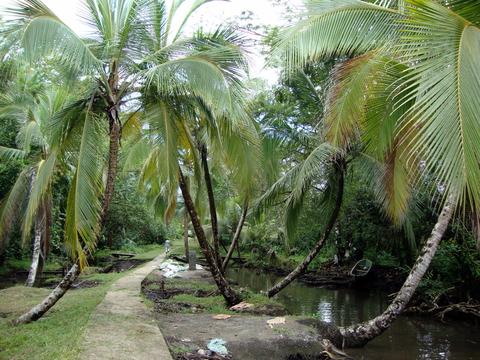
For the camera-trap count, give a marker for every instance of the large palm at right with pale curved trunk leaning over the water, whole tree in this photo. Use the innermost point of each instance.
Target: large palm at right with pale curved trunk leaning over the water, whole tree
(411, 95)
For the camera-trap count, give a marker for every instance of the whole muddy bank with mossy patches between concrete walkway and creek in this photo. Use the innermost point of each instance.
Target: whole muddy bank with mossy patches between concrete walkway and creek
(187, 309)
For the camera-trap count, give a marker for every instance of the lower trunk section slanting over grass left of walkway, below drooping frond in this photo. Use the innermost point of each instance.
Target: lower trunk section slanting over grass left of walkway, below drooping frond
(37, 311)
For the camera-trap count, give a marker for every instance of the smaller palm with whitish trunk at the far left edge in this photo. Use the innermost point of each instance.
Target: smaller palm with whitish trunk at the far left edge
(31, 108)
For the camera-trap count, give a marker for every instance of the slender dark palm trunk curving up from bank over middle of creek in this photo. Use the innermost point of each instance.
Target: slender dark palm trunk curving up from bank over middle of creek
(300, 269)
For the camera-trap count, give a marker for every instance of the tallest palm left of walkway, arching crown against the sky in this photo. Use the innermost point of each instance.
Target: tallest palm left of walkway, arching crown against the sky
(130, 45)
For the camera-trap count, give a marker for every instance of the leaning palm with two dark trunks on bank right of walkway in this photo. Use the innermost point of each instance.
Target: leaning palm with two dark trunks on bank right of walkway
(177, 156)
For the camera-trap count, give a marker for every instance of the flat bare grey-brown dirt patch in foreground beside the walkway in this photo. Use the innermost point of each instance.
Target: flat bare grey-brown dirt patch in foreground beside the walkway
(247, 337)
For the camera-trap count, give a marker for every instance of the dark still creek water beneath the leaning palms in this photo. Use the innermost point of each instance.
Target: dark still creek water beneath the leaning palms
(408, 338)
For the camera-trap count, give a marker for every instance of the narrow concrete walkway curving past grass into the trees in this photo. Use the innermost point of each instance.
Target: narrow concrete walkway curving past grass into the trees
(122, 327)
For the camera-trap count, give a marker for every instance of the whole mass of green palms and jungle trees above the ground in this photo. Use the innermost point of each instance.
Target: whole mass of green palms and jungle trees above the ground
(142, 130)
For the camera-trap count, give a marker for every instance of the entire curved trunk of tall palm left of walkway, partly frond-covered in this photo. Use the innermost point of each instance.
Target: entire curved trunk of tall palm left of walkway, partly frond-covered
(39, 310)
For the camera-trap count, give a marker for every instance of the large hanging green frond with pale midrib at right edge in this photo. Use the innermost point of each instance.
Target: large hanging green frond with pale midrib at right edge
(443, 50)
